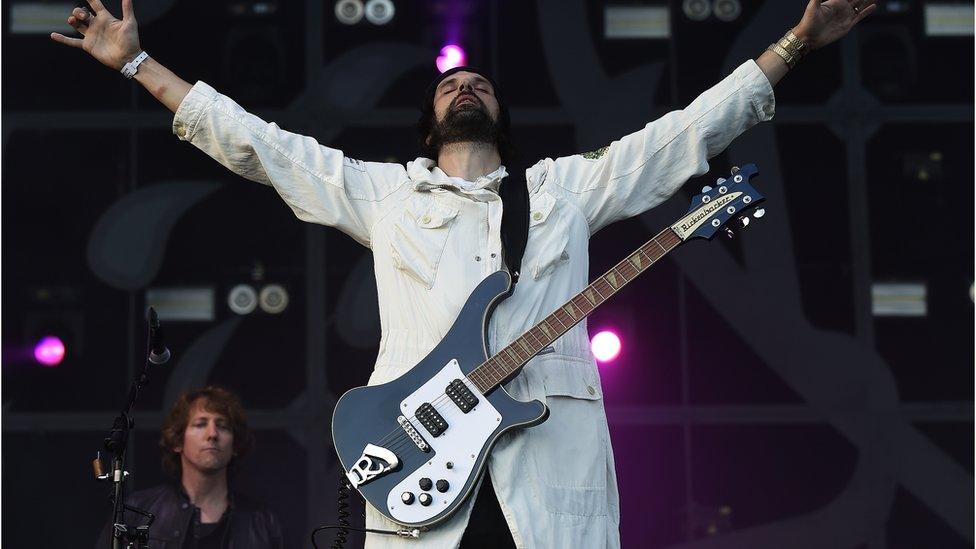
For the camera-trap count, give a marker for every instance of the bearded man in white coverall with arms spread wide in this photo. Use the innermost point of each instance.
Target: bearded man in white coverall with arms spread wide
(443, 222)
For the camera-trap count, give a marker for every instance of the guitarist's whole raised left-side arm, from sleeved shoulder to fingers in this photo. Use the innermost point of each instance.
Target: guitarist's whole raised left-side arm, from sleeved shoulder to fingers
(320, 184)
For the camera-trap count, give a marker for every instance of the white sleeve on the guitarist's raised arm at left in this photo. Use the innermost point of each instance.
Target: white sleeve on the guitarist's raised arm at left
(320, 184)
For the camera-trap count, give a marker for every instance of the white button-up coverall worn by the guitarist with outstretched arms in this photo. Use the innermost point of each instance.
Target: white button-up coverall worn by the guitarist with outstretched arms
(432, 243)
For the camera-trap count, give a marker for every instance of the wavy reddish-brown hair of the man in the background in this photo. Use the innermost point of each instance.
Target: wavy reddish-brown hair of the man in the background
(215, 399)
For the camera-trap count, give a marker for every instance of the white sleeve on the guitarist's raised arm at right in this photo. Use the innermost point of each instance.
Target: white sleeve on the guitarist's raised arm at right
(641, 170)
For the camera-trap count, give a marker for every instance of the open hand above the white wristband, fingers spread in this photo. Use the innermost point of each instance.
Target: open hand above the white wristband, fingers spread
(112, 41)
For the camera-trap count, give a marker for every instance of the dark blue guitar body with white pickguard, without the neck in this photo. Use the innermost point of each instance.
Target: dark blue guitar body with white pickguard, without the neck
(452, 461)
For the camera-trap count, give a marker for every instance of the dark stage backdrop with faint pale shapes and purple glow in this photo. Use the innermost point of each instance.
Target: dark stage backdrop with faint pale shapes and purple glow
(808, 384)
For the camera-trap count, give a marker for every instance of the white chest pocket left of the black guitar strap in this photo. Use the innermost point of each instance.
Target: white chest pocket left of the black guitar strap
(419, 238)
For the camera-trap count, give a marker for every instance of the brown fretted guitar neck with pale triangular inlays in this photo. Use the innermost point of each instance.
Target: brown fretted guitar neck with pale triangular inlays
(510, 359)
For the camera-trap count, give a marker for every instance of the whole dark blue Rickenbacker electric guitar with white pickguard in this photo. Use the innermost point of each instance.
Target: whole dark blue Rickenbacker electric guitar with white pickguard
(416, 447)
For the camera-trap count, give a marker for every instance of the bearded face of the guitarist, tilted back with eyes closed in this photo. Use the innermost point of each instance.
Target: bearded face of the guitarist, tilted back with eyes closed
(465, 110)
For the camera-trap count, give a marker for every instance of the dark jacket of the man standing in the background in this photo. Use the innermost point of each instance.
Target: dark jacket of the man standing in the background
(251, 525)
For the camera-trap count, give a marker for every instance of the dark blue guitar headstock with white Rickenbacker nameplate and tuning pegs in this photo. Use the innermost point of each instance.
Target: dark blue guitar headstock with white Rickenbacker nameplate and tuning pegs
(727, 206)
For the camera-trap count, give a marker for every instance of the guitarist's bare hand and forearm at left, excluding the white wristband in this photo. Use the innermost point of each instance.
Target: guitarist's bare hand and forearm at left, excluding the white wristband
(115, 42)
